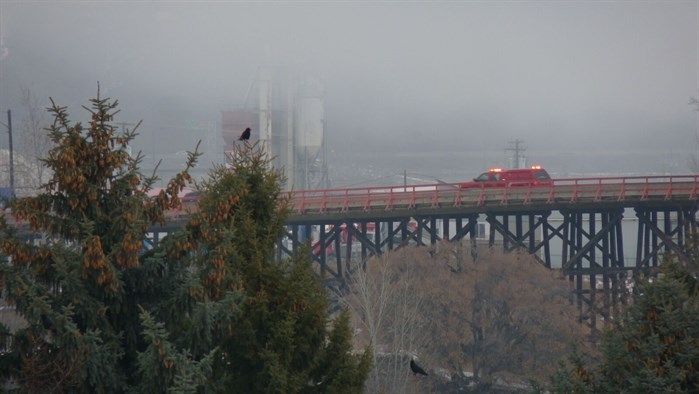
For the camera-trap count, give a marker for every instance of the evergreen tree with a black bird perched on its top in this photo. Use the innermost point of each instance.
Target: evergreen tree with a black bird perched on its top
(267, 321)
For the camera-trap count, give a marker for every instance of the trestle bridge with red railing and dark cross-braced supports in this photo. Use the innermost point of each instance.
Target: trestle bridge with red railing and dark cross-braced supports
(581, 216)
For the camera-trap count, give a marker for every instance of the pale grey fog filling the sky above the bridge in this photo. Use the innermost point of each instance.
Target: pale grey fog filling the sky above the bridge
(438, 88)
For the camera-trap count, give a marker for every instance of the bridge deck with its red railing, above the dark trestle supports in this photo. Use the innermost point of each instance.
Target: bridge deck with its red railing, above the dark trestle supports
(445, 198)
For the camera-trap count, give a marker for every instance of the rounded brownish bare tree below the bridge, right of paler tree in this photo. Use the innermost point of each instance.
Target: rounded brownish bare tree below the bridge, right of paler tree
(518, 313)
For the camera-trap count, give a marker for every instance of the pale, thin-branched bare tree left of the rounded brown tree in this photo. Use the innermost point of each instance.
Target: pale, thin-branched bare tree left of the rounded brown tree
(388, 310)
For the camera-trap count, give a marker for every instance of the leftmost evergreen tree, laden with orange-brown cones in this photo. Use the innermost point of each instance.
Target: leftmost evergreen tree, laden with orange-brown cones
(75, 286)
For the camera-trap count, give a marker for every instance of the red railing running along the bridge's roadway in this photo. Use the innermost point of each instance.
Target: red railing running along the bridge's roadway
(567, 190)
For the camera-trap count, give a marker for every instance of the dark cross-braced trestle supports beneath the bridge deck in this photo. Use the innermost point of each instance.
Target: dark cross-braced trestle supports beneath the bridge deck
(591, 244)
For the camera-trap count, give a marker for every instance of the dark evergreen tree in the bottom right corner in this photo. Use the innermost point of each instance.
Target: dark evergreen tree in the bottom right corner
(653, 347)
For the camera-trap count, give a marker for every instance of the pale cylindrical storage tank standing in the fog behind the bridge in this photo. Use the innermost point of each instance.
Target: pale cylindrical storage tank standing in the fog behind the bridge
(310, 118)
